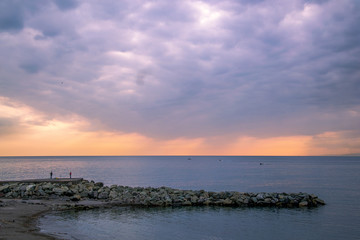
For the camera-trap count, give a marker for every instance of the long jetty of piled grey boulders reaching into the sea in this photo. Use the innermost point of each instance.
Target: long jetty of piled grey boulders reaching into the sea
(162, 196)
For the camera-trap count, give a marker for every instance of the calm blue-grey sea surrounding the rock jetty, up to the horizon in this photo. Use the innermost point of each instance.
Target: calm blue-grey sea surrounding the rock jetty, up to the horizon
(336, 180)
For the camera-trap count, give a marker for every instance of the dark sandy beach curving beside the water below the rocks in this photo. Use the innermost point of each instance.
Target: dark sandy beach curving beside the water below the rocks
(18, 219)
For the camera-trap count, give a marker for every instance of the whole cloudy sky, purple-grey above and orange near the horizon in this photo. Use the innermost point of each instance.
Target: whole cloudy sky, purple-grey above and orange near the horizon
(179, 77)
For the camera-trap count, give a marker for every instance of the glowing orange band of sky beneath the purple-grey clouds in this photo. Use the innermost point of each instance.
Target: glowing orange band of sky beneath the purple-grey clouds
(35, 135)
